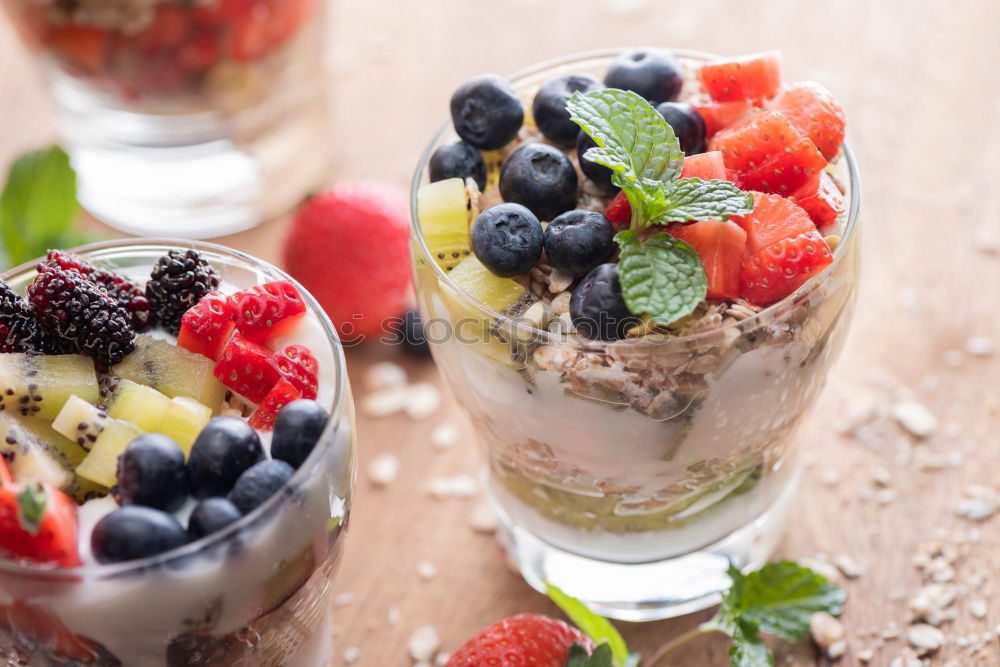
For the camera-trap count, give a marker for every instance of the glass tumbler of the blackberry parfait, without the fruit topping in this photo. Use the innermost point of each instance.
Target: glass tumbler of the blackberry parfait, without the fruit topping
(256, 592)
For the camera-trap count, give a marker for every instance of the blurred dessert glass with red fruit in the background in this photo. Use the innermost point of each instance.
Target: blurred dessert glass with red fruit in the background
(197, 117)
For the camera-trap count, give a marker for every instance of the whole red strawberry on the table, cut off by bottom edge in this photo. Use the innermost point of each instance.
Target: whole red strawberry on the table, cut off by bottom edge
(526, 639)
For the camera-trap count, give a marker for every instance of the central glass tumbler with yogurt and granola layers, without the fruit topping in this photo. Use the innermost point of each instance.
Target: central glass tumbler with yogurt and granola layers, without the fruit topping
(631, 473)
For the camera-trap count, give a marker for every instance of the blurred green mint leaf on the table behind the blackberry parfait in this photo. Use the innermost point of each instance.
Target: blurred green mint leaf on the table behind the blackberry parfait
(38, 204)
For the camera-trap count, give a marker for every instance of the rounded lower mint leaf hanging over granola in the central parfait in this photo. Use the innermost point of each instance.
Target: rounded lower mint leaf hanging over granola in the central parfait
(662, 277)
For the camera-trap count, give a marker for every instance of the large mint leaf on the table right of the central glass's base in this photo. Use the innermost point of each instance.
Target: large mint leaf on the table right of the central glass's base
(780, 597)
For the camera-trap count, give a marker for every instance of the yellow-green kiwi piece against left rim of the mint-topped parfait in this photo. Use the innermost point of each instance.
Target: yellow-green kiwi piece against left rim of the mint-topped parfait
(445, 211)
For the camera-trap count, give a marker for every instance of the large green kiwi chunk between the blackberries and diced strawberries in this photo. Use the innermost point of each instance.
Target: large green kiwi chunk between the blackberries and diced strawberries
(173, 371)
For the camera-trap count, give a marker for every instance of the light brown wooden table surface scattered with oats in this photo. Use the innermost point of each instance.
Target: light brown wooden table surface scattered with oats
(918, 79)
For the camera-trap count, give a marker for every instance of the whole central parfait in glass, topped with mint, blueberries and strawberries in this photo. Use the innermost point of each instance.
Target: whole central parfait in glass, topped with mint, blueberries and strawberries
(636, 268)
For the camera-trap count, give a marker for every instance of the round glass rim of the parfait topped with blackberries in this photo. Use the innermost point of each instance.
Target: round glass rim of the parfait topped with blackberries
(109, 570)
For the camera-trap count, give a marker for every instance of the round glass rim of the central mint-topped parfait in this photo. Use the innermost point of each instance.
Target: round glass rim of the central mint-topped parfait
(763, 315)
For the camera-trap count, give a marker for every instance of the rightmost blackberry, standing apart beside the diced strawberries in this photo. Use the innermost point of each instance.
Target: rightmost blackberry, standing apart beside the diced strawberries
(178, 281)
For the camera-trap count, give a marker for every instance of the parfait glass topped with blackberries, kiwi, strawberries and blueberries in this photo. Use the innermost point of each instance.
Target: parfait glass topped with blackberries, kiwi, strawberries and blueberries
(177, 460)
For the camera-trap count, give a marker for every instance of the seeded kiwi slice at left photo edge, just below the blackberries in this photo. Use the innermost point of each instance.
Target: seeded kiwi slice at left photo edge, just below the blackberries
(39, 385)
